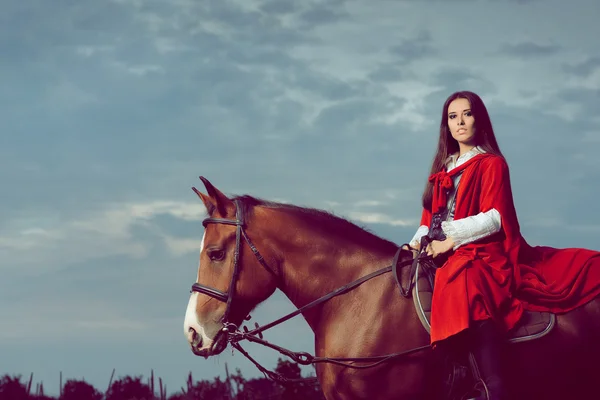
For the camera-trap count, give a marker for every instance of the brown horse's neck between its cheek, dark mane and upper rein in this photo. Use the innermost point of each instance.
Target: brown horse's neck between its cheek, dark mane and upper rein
(314, 264)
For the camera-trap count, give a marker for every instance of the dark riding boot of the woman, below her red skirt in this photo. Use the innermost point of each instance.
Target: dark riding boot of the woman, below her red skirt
(486, 359)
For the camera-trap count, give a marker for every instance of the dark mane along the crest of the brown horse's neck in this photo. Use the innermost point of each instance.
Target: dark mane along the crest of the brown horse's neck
(323, 219)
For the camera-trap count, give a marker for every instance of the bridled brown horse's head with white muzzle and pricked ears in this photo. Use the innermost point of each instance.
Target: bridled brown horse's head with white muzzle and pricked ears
(231, 280)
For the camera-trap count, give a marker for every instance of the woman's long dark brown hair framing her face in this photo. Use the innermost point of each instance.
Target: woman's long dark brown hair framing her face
(447, 145)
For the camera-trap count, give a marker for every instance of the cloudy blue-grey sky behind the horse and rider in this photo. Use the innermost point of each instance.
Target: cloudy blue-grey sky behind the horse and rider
(111, 109)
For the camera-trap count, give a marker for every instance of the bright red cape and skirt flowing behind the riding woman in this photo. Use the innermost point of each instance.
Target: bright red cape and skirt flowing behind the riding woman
(501, 275)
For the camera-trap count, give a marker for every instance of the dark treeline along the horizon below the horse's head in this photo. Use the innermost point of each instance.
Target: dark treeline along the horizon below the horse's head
(232, 387)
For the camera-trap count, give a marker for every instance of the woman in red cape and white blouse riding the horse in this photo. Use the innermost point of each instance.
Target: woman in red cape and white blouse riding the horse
(488, 273)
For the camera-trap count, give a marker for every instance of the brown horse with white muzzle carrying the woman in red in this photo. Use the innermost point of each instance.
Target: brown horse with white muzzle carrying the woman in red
(251, 247)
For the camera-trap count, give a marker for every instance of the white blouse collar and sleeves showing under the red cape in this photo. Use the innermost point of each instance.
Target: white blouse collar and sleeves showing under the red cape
(469, 229)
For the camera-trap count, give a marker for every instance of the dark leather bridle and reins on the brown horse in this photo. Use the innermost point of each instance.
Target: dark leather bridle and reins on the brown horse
(234, 335)
